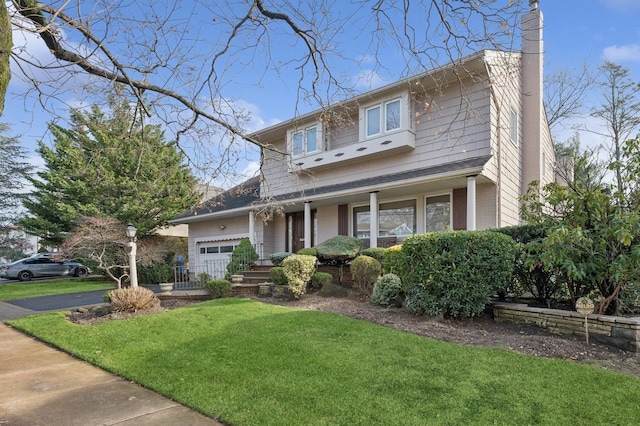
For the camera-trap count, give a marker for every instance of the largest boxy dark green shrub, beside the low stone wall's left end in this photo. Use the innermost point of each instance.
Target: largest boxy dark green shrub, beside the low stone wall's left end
(455, 273)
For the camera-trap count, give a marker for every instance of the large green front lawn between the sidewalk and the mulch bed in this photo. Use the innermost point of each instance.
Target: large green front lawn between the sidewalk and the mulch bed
(249, 363)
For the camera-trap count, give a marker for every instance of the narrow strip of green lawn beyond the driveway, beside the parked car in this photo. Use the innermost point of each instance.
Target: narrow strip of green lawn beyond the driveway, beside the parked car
(21, 290)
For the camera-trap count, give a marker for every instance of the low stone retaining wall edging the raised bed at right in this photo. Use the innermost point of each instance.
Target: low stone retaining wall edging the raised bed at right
(621, 332)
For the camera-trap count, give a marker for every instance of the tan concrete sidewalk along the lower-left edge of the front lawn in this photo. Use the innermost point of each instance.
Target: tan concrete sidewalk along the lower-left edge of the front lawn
(43, 386)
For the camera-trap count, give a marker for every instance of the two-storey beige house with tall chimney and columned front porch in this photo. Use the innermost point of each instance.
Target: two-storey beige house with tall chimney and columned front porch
(453, 148)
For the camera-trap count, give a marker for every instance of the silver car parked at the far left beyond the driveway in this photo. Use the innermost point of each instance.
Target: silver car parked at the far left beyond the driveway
(41, 266)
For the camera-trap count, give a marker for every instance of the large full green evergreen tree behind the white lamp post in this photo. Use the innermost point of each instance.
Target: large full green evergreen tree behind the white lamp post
(108, 165)
